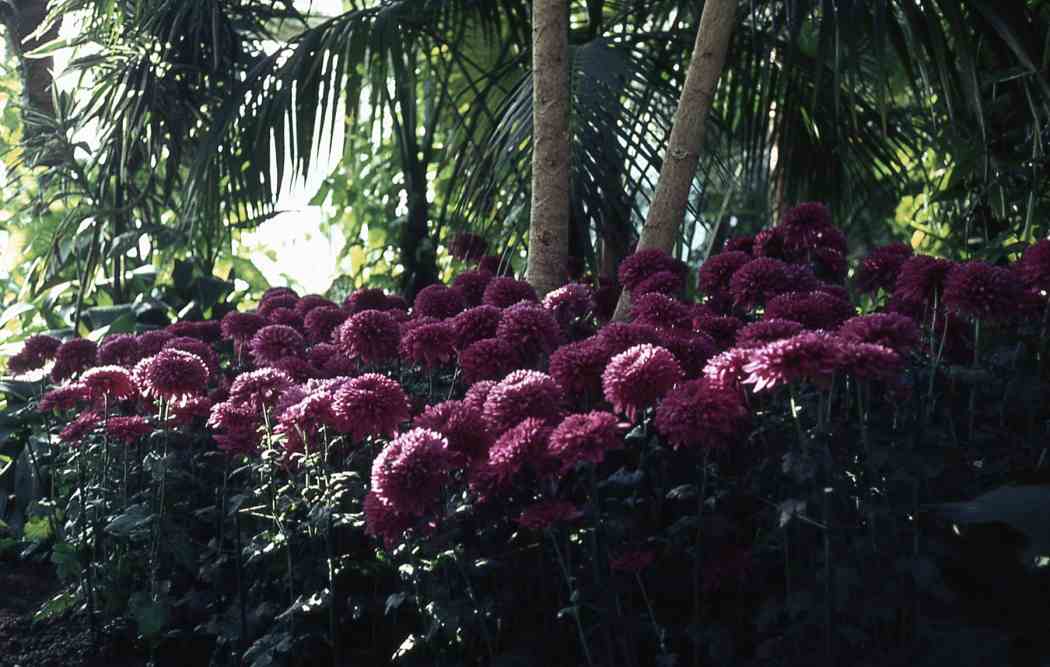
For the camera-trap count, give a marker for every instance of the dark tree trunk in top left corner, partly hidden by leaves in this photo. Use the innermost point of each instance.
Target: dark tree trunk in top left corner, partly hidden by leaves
(22, 18)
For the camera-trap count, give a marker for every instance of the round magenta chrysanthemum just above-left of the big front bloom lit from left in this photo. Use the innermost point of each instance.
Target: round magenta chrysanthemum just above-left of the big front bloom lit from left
(370, 405)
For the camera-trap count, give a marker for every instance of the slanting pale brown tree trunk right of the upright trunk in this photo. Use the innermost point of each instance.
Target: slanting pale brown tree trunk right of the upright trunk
(668, 209)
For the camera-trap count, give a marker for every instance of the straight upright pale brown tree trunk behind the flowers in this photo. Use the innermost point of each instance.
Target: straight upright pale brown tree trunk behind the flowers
(549, 239)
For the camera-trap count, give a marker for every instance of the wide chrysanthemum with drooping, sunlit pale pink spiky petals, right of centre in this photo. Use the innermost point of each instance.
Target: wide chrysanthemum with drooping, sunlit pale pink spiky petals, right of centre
(813, 357)
